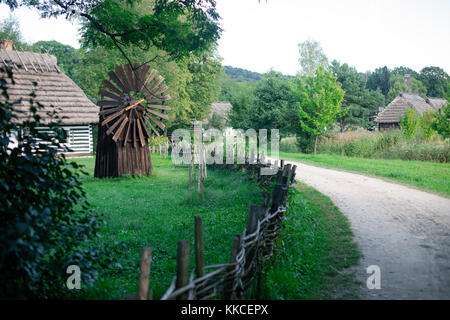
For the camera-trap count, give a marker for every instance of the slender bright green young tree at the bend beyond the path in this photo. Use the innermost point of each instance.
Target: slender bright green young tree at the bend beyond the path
(319, 100)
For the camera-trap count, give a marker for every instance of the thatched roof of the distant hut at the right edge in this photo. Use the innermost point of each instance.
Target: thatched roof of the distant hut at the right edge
(405, 100)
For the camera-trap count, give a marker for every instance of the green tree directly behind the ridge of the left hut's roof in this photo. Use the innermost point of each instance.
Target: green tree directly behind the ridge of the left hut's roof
(67, 56)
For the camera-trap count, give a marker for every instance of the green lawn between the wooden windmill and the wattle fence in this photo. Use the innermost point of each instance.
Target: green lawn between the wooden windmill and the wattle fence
(156, 212)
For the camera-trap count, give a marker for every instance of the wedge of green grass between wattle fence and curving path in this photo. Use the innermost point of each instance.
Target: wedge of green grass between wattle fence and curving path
(313, 253)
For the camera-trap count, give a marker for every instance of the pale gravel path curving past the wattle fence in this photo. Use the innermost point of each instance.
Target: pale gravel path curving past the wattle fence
(404, 231)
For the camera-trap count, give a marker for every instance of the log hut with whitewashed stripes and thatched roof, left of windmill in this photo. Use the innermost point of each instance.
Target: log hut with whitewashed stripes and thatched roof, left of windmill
(55, 91)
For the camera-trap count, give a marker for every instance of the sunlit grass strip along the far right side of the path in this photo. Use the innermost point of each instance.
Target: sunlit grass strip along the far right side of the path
(430, 176)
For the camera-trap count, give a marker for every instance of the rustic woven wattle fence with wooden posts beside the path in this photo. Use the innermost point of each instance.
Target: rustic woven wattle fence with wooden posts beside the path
(250, 249)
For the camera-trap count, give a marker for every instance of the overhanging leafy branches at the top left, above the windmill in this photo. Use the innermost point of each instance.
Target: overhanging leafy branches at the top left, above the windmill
(178, 27)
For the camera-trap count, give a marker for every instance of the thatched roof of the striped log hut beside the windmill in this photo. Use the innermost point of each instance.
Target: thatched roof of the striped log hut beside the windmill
(54, 90)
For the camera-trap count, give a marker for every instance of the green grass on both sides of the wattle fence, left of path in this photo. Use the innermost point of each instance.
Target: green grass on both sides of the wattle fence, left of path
(156, 212)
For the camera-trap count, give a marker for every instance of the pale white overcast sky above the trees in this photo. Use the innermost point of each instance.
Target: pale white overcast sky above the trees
(260, 36)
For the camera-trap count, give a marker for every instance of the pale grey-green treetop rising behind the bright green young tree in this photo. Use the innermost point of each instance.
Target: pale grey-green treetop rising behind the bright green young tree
(311, 57)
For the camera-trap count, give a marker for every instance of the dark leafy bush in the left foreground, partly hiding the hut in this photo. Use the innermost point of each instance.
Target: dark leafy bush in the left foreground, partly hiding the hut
(45, 219)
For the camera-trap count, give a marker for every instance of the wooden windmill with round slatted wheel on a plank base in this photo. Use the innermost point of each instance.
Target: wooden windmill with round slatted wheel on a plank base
(132, 108)
